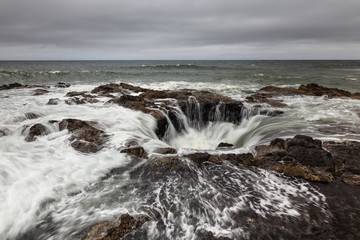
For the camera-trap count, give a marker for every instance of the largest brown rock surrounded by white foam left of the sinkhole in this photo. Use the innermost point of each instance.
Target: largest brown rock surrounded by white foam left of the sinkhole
(85, 138)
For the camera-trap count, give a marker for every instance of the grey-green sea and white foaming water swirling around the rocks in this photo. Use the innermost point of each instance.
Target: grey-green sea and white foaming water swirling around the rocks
(48, 190)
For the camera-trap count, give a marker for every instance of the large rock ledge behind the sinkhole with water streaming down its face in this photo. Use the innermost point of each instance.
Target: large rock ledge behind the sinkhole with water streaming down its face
(200, 107)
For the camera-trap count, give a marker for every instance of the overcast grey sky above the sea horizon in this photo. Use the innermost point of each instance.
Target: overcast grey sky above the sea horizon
(186, 29)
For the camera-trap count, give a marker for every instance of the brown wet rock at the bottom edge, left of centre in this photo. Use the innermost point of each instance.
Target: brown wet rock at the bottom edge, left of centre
(114, 230)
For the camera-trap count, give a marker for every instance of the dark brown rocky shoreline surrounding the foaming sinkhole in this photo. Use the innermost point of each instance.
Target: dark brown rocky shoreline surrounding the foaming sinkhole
(331, 167)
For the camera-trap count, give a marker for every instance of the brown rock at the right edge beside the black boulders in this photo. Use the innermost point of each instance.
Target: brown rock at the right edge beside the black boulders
(347, 160)
